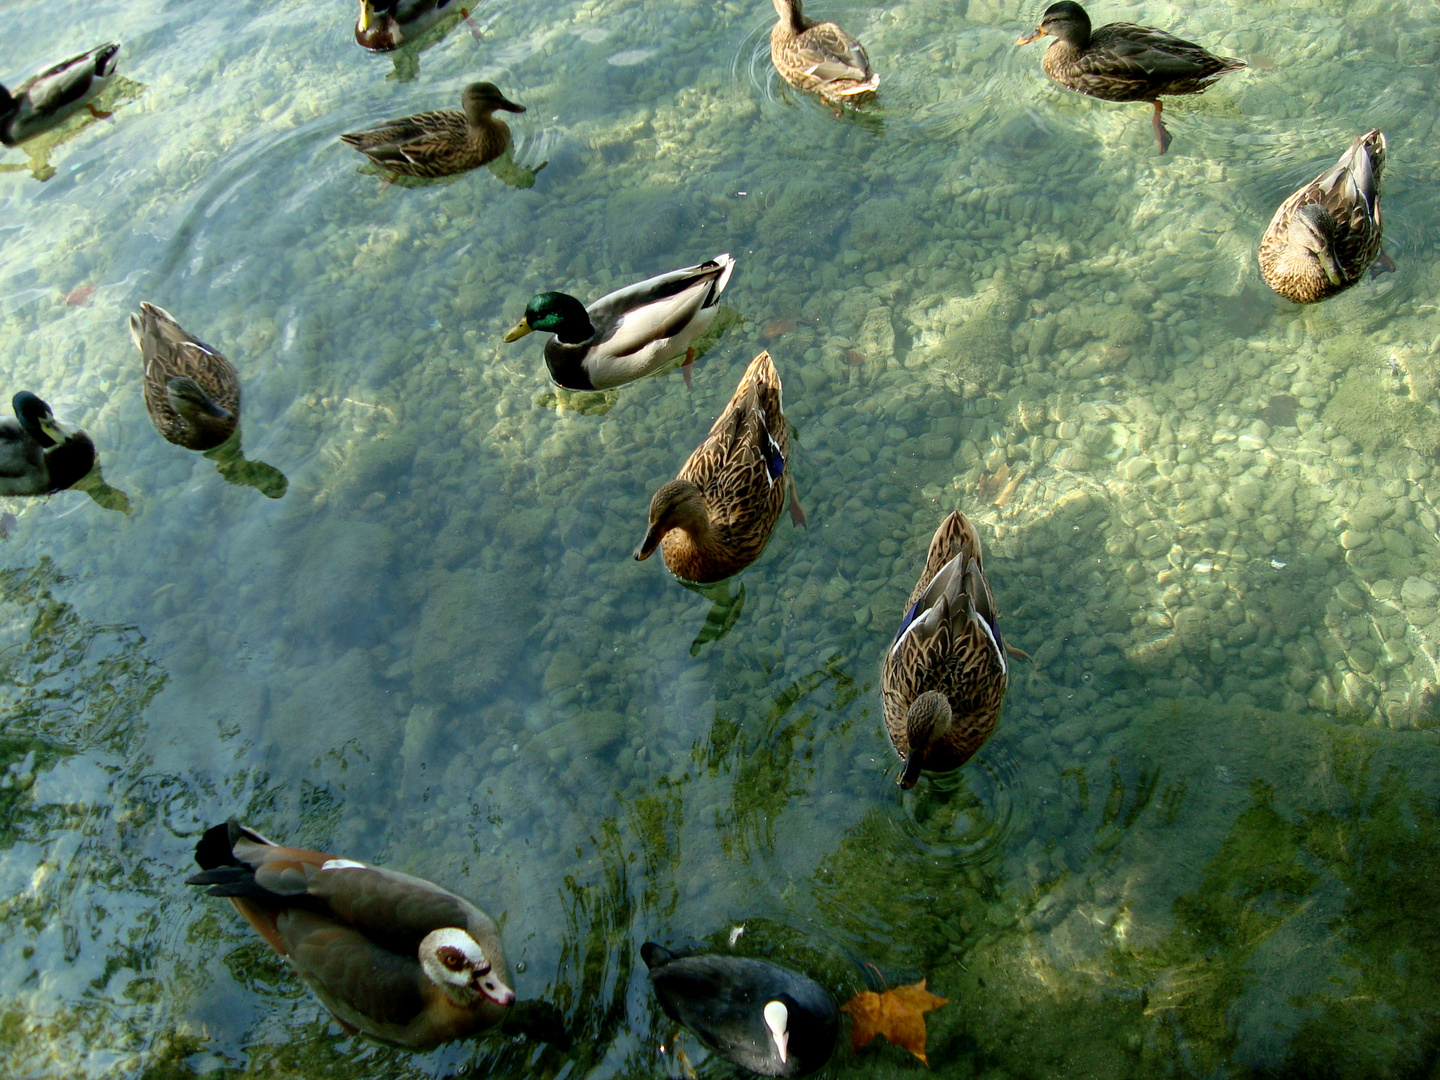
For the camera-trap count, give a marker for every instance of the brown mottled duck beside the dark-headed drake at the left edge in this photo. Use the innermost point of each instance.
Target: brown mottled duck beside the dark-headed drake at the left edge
(192, 392)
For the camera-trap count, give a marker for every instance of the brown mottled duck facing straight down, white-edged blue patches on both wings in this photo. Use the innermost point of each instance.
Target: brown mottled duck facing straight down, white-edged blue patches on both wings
(944, 679)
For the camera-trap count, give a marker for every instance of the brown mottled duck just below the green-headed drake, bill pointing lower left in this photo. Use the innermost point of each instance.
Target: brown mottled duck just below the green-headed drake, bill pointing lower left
(716, 518)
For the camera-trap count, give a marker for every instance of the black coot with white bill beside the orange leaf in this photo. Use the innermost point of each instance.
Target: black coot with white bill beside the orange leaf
(757, 1014)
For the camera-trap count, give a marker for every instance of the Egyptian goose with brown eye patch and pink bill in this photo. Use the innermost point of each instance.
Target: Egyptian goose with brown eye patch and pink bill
(395, 957)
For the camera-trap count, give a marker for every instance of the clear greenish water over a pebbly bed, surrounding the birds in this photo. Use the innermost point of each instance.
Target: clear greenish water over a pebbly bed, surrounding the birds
(1202, 843)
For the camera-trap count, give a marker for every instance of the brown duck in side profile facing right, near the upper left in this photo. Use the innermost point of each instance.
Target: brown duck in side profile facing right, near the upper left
(446, 142)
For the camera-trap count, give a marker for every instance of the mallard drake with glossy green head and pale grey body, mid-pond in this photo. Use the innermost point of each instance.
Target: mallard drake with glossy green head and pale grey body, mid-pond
(630, 333)
